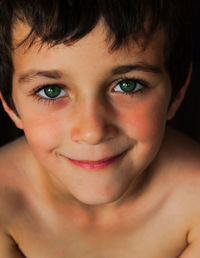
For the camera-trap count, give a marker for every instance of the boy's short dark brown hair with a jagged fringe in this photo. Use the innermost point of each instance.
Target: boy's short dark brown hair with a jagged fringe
(67, 21)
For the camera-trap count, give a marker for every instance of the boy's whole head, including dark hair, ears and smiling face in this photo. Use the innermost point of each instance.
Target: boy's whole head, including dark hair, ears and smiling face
(93, 49)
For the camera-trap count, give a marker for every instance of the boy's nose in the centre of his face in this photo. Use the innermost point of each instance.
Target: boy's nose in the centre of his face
(93, 124)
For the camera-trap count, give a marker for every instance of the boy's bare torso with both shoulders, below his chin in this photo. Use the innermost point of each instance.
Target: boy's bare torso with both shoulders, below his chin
(162, 221)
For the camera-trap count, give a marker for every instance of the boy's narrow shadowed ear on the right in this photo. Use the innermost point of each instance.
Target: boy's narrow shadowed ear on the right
(179, 97)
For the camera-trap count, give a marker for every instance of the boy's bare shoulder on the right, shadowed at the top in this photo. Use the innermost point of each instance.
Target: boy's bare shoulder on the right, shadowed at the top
(182, 171)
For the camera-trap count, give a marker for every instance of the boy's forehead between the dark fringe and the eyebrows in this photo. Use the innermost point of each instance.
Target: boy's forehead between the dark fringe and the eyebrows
(93, 49)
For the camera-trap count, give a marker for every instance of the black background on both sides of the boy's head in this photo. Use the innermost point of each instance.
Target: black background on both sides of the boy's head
(187, 118)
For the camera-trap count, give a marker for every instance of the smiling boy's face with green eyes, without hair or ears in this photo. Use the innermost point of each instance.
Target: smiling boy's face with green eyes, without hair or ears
(90, 117)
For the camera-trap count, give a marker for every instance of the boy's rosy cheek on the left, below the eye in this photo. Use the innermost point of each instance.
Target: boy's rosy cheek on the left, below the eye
(42, 126)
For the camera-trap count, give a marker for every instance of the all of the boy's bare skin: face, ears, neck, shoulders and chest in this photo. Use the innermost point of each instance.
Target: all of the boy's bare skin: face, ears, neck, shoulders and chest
(65, 210)
